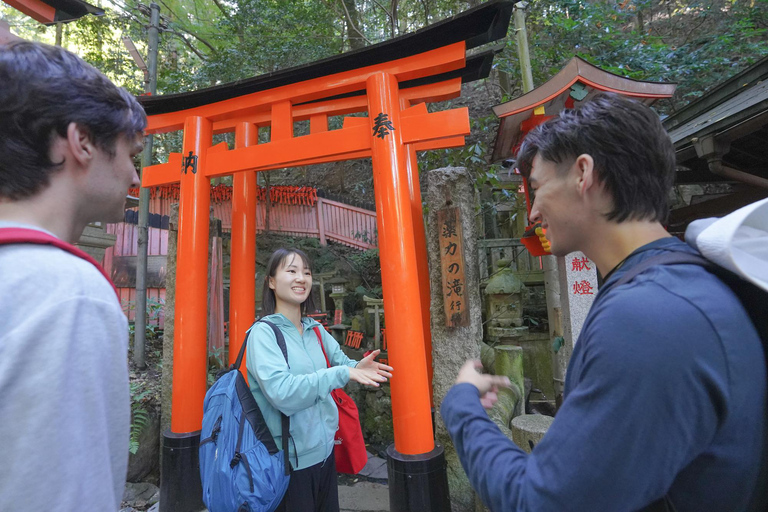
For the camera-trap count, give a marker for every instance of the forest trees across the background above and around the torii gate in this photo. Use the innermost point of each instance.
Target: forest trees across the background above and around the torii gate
(696, 43)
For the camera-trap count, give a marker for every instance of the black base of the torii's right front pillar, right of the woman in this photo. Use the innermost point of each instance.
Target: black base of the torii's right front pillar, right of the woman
(418, 483)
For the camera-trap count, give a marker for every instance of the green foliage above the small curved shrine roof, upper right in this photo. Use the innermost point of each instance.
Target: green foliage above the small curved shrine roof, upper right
(696, 44)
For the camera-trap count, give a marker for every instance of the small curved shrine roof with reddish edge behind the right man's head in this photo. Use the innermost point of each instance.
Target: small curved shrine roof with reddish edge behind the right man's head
(578, 80)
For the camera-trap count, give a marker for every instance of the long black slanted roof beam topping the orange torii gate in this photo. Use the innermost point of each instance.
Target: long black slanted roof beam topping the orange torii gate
(478, 26)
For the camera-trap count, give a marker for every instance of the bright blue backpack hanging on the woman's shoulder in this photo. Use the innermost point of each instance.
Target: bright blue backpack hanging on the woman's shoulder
(240, 466)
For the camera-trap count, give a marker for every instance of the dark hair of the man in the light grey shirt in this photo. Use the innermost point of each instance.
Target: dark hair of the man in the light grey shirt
(42, 90)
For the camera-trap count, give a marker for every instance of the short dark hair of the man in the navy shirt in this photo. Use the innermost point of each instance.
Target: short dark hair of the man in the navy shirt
(633, 154)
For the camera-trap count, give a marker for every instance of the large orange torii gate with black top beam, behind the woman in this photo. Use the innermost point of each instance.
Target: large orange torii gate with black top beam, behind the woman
(390, 81)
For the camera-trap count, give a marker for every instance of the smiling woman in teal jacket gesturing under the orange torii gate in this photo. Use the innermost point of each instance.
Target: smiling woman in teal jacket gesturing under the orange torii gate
(301, 389)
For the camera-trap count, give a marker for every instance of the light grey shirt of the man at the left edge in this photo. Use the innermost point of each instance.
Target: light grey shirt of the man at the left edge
(64, 401)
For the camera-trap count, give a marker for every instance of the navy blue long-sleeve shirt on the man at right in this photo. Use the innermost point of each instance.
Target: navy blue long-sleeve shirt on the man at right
(665, 394)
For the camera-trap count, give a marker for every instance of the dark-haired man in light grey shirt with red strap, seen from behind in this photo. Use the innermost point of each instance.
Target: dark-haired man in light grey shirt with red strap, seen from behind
(68, 138)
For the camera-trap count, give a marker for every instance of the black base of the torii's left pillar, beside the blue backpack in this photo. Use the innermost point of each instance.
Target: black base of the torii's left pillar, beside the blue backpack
(180, 487)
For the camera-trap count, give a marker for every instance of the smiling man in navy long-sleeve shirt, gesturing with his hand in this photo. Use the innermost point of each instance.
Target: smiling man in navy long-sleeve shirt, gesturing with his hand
(666, 389)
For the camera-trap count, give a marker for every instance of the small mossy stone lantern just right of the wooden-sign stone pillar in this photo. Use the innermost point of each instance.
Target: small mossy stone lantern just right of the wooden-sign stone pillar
(504, 298)
